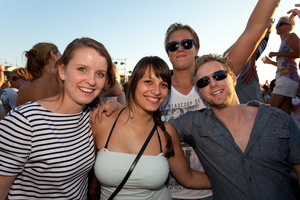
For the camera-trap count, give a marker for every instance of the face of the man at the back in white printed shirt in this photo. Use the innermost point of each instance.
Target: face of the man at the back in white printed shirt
(182, 58)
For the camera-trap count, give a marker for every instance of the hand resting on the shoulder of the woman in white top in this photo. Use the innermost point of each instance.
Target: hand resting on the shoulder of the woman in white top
(108, 108)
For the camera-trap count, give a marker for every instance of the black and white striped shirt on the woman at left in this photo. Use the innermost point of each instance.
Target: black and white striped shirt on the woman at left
(49, 153)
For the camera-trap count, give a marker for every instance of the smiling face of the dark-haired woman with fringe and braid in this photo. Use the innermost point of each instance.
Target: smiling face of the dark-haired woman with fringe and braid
(150, 91)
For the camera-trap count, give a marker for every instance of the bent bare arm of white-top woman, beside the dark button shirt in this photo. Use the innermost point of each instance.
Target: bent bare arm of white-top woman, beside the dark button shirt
(180, 168)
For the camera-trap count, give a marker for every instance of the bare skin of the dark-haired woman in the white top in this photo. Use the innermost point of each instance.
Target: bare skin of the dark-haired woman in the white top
(130, 134)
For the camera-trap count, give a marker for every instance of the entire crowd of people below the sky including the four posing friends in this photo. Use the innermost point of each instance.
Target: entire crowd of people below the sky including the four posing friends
(70, 130)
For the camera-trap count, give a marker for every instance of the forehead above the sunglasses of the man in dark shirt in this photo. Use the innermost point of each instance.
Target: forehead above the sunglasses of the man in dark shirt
(209, 68)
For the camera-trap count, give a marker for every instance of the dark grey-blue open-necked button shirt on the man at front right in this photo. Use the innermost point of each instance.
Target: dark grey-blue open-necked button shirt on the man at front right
(261, 172)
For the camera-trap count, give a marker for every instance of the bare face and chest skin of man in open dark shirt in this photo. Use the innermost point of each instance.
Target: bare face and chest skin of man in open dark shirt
(239, 119)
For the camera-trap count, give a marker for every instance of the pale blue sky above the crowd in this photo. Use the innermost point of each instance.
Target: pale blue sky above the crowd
(129, 29)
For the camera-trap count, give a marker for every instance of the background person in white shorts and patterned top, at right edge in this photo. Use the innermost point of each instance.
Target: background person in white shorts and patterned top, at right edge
(287, 78)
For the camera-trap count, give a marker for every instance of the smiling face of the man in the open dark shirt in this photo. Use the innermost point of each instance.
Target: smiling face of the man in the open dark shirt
(218, 94)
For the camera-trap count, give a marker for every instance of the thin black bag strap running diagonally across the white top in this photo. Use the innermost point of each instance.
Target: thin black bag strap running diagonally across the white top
(133, 164)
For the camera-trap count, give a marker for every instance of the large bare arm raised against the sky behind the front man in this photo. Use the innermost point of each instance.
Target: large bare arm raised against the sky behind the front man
(253, 33)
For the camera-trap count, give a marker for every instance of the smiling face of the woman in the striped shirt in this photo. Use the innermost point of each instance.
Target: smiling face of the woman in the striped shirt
(84, 77)
